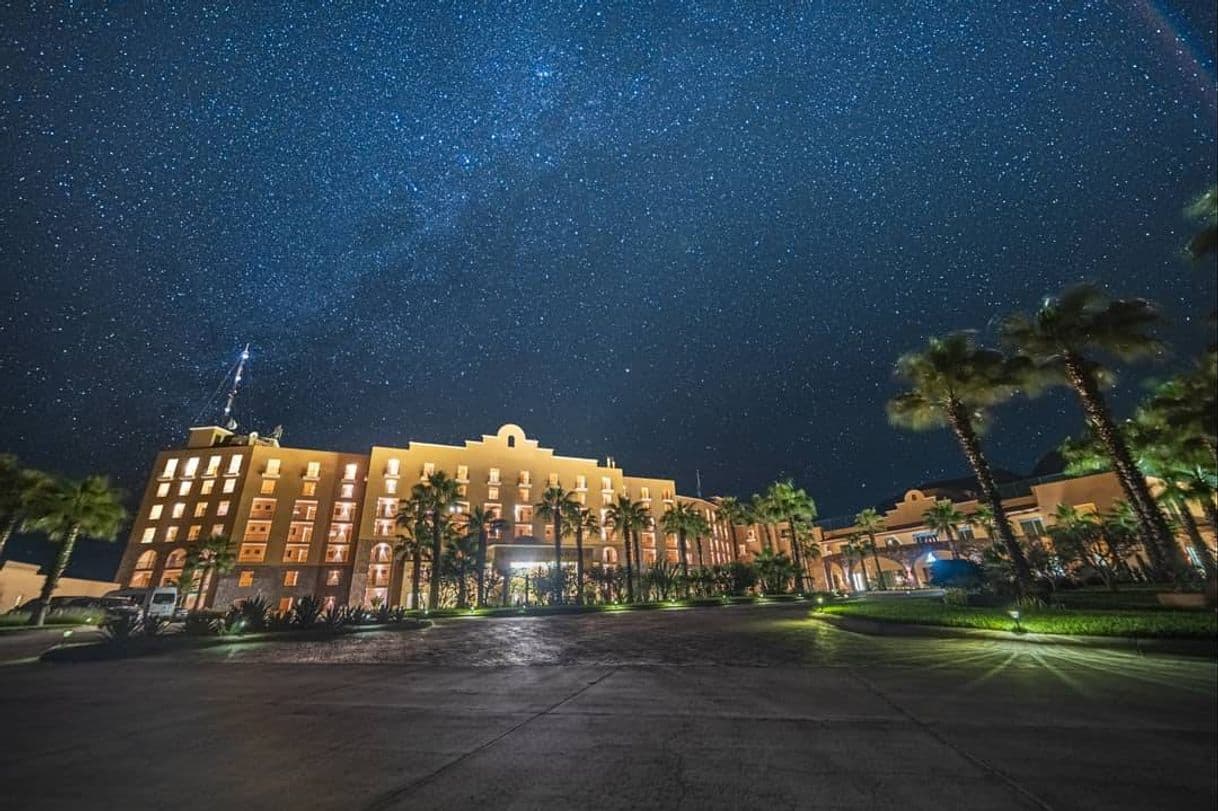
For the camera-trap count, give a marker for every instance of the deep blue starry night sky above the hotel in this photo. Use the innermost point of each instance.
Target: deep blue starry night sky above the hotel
(692, 237)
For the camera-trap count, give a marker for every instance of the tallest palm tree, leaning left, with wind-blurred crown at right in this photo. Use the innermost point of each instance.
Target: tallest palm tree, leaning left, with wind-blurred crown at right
(1059, 339)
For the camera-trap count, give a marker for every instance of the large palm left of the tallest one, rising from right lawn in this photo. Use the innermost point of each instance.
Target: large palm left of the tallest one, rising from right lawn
(956, 383)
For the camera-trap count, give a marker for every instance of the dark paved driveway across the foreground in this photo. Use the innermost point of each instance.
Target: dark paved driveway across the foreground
(752, 707)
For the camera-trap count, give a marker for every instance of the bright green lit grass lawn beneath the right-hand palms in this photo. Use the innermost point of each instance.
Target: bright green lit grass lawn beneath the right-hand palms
(1195, 625)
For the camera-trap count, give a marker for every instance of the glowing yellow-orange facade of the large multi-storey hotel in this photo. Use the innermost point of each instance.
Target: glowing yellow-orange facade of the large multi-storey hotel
(323, 524)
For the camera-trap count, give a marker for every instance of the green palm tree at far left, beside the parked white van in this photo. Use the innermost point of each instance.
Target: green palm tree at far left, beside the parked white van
(66, 511)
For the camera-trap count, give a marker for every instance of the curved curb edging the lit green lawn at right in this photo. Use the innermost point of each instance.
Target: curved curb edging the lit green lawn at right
(1205, 648)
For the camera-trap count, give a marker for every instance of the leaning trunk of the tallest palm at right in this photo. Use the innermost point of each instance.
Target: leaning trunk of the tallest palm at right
(1155, 534)
